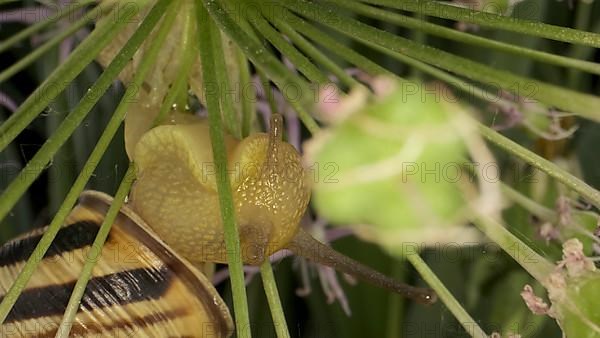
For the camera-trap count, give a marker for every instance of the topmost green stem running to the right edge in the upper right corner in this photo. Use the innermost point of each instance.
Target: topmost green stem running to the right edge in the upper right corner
(485, 19)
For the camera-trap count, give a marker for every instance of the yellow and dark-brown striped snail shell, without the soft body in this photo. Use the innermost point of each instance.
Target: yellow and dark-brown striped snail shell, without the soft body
(139, 286)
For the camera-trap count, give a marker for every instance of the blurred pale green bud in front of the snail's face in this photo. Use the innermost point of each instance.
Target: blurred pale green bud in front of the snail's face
(393, 168)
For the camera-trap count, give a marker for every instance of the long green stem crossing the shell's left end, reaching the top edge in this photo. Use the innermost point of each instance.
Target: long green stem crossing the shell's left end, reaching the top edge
(109, 132)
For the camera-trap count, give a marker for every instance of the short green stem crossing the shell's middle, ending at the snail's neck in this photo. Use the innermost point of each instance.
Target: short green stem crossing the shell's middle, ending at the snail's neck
(96, 252)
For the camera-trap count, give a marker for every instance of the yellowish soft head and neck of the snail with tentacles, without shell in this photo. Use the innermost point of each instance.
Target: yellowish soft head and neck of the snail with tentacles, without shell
(175, 192)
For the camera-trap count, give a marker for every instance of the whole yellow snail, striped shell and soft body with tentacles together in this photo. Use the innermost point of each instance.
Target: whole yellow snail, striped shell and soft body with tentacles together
(147, 279)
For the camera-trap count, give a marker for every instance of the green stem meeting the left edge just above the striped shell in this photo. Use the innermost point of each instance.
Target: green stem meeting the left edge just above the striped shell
(43, 157)
